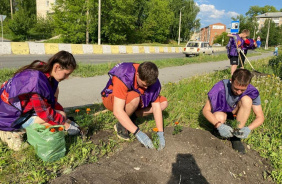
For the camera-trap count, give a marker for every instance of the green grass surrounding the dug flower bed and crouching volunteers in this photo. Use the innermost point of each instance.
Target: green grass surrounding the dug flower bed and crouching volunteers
(183, 108)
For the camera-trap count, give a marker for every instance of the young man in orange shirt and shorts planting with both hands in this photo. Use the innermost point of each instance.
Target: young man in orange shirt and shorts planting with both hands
(132, 91)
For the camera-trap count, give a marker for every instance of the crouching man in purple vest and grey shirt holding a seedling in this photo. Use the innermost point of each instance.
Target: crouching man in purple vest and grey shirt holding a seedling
(233, 100)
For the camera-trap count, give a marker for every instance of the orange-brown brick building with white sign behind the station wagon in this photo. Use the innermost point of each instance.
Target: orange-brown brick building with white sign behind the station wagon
(208, 34)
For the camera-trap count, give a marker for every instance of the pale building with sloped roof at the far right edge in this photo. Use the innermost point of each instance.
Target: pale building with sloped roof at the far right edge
(275, 16)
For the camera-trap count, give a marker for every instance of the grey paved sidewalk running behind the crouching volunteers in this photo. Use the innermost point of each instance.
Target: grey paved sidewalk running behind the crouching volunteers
(76, 91)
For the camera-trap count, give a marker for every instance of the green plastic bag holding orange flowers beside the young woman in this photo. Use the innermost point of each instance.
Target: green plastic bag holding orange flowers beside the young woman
(49, 146)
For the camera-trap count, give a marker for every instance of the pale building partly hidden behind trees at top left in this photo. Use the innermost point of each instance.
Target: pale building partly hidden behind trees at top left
(43, 7)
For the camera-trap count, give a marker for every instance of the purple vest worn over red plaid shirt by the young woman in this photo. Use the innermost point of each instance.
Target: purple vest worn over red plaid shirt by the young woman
(28, 81)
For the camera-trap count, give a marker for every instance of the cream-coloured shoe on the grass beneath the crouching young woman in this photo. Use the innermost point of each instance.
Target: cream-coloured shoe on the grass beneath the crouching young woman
(14, 140)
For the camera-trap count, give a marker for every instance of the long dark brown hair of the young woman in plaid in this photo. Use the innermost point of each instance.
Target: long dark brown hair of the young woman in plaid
(64, 58)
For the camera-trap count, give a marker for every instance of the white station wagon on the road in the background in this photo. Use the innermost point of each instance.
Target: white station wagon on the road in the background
(197, 47)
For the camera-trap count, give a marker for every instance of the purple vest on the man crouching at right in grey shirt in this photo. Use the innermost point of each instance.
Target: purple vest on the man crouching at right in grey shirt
(217, 97)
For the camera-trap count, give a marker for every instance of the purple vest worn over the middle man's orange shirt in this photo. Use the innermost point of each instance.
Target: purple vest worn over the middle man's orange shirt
(126, 73)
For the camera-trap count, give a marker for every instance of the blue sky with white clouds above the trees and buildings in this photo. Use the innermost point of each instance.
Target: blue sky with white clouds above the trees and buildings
(214, 11)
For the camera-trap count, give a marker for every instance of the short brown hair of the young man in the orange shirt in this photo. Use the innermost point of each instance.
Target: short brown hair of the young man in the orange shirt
(148, 72)
